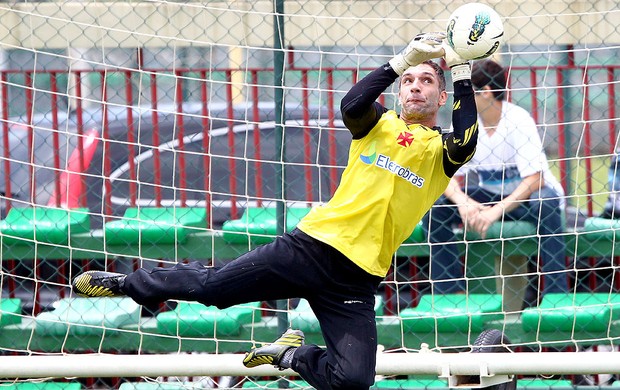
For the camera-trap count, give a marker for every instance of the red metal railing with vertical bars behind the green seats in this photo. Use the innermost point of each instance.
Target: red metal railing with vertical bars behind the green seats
(326, 74)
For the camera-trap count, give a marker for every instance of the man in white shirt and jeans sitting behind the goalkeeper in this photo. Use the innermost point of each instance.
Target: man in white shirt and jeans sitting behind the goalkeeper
(512, 181)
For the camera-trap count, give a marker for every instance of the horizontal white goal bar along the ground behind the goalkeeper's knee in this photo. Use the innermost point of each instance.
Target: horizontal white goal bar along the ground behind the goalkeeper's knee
(428, 363)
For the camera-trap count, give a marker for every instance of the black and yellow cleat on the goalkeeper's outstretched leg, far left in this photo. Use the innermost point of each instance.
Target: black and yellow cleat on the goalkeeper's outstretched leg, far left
(94, 284)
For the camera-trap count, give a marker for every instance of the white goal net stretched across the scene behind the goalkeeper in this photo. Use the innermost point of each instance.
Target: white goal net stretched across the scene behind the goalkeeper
(143, 134)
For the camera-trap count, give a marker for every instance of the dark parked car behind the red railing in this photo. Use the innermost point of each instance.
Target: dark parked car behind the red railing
(158, 158)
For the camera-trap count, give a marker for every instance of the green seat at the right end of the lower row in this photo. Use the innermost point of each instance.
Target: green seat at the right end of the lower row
(572, 312)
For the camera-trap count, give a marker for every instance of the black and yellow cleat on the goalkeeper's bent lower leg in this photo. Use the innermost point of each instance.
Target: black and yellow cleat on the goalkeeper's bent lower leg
(274, 353)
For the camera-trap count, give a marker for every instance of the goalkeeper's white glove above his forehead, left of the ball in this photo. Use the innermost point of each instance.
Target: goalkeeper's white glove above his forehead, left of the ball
(423, 47)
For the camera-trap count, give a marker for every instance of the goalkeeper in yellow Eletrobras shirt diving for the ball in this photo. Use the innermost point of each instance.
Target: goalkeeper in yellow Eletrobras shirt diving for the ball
(399, 164)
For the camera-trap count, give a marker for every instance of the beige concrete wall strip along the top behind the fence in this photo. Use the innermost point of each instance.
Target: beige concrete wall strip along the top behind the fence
(308, 22)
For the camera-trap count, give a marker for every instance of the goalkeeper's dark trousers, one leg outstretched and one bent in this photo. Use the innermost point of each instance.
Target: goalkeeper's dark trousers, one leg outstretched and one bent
(295, 265)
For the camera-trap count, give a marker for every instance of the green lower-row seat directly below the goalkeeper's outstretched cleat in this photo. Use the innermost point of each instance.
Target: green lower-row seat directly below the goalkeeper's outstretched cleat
(88, 316)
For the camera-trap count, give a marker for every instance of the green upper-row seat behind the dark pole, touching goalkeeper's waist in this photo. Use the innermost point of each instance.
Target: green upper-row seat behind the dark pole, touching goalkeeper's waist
(260, 224)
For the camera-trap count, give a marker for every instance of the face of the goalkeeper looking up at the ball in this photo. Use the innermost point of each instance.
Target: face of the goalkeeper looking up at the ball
(420, 95)
